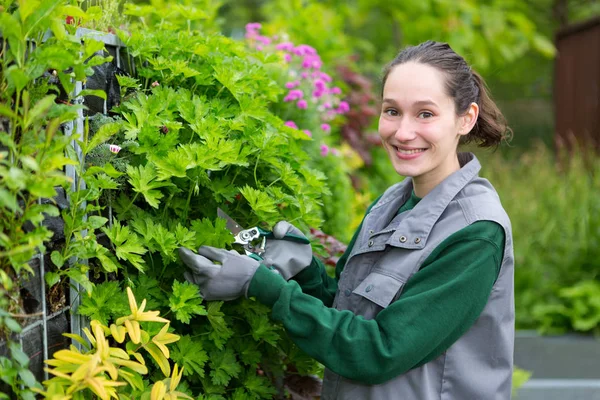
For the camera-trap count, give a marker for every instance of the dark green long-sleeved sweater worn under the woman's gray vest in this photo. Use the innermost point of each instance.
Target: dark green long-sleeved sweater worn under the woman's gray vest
(439, 303)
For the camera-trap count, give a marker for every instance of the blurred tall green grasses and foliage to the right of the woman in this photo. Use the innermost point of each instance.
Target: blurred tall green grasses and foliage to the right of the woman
(553, 202)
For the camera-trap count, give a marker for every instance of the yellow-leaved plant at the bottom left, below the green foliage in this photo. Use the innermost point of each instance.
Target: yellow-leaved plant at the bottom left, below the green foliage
(114, 368)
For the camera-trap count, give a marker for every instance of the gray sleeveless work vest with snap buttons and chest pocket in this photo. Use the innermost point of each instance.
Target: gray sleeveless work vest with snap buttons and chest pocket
(389, 249)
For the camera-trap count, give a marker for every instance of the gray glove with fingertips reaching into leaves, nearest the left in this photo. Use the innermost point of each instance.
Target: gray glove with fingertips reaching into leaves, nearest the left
(227, 281)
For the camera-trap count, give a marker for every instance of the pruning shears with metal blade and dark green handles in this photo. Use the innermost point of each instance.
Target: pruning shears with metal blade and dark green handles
(253, 240)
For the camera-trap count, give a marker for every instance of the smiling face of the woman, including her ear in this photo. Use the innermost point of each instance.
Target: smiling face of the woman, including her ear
(418, 123)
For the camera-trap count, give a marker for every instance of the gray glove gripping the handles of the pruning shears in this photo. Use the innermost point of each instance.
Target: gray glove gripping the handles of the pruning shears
(289, 251)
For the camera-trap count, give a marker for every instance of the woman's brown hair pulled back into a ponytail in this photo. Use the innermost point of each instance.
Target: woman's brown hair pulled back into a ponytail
(464, 85)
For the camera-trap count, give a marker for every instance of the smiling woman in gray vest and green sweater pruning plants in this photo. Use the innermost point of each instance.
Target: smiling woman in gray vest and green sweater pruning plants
(422, 303)
